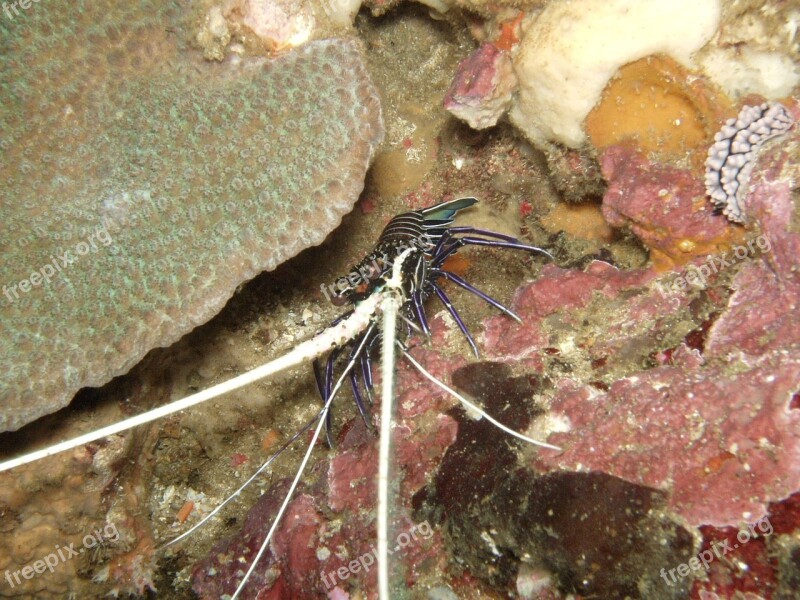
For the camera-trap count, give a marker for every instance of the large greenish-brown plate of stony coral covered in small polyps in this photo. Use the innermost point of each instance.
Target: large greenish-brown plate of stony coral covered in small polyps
(141, 185)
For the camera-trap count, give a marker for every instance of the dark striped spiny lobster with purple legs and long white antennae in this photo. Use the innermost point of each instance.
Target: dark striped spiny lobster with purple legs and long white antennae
(409, 277)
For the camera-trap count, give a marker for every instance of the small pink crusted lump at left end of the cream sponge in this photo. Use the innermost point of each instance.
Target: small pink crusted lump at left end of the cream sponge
(482, 88)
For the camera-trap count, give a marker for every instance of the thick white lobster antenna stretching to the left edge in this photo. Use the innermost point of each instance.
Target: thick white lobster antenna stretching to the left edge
(337, 335)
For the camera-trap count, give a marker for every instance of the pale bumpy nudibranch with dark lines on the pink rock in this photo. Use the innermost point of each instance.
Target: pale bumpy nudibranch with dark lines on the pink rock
(735, 150)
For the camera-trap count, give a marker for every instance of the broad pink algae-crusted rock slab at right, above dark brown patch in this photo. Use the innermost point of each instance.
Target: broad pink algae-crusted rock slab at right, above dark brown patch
(721, 462)
